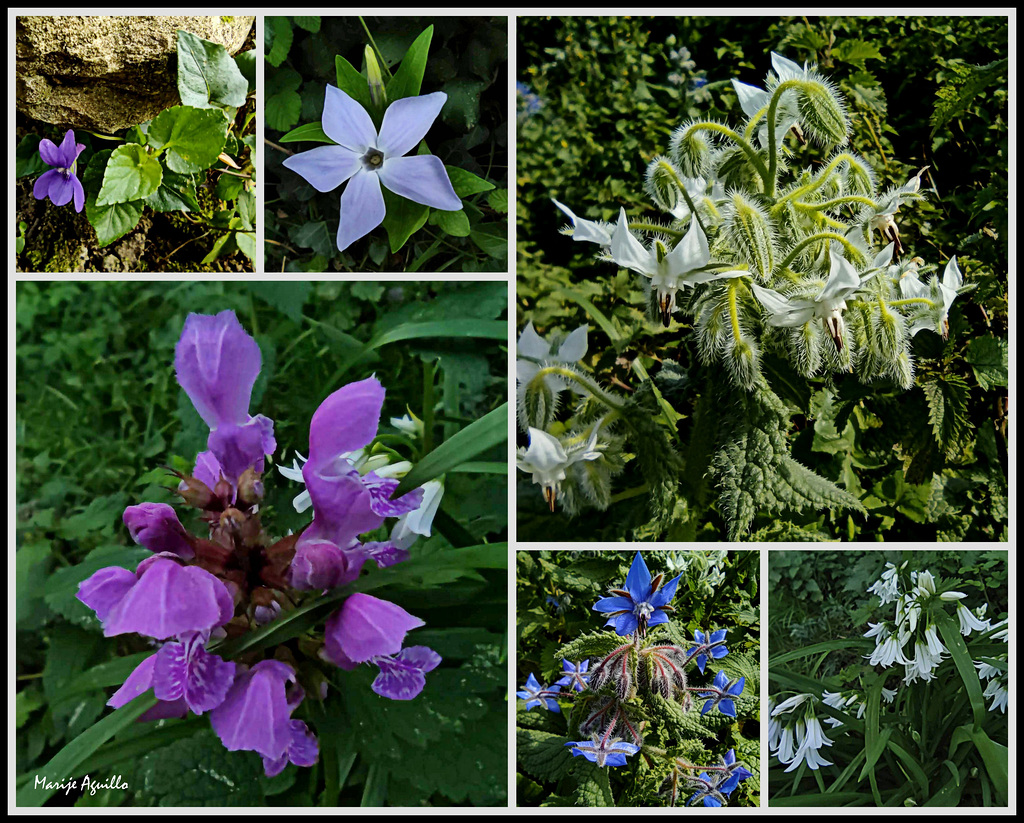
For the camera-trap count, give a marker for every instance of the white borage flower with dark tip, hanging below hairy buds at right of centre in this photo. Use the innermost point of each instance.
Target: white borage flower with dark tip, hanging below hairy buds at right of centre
(829, 305)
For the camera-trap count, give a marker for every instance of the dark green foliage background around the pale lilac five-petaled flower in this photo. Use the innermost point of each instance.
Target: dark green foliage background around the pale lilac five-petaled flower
(468, 62)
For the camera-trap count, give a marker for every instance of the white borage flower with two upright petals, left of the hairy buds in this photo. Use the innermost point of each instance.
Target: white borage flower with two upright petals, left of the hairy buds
(668, 271)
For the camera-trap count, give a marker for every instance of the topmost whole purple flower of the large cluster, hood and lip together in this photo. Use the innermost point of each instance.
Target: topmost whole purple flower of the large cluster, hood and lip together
(218, 363)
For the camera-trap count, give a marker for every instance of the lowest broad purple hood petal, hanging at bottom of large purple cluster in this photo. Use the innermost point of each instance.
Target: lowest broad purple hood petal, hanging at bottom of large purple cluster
(255, 714)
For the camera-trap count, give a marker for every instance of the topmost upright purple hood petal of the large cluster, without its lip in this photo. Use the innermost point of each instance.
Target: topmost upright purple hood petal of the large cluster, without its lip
(218, 363)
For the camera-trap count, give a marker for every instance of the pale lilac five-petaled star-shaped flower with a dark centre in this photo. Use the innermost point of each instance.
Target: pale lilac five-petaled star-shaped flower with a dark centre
(369, 160)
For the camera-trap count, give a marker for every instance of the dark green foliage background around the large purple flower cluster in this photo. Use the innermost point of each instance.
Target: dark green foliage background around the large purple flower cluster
(99, 412)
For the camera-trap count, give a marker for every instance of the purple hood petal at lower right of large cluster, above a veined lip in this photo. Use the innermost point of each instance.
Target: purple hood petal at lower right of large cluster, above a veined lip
(367, 627)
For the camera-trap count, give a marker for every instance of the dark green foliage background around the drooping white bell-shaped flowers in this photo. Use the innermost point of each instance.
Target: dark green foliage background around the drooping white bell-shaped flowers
(822, 597)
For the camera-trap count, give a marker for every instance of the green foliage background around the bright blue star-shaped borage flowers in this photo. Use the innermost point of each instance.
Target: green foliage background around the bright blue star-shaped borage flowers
(556, 593)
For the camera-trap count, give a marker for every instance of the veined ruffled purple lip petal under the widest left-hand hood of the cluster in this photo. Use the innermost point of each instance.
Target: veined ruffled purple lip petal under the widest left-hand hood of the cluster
(188, 671)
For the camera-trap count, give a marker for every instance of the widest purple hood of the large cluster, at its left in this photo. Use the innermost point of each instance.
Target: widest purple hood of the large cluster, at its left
(162, 599)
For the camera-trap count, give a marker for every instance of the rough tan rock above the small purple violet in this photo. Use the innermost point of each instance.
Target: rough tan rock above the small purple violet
(107, 73)
